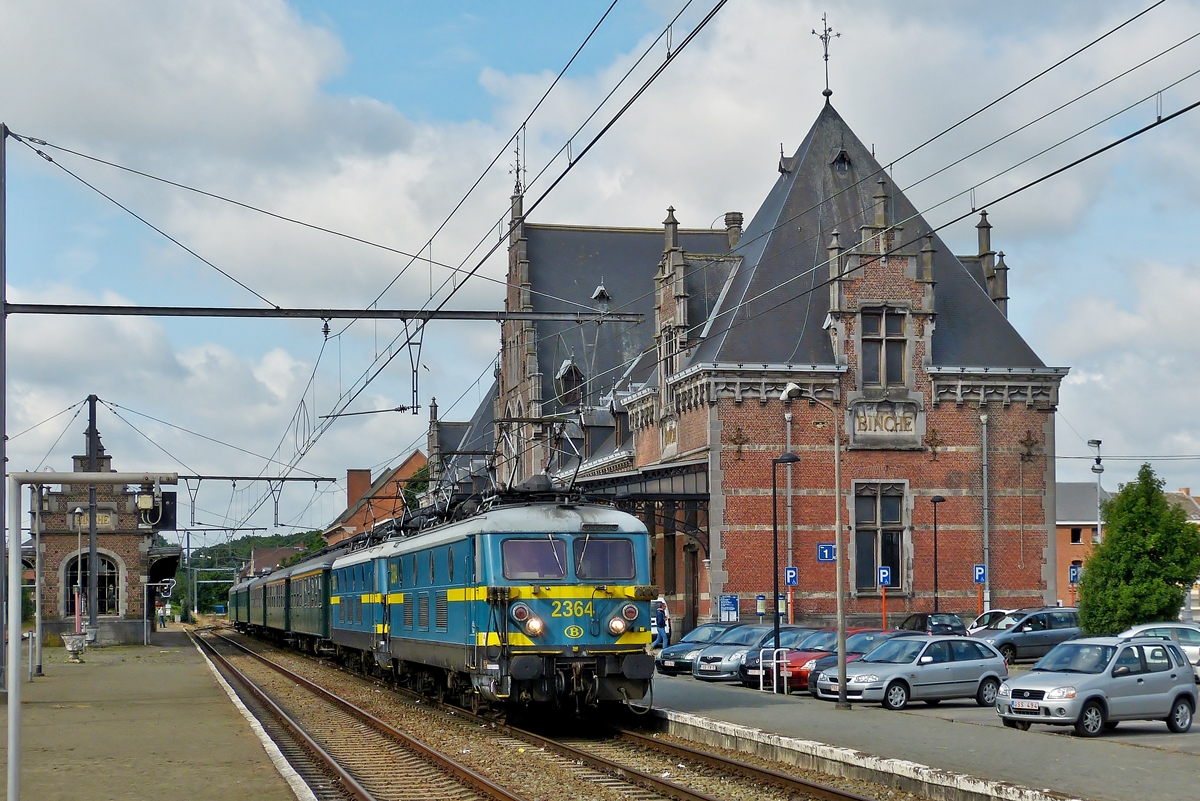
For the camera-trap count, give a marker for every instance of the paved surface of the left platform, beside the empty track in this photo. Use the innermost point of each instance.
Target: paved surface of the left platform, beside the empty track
(139, 722)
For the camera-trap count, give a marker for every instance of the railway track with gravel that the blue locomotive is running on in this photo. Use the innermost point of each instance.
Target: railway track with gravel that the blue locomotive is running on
(629, 764)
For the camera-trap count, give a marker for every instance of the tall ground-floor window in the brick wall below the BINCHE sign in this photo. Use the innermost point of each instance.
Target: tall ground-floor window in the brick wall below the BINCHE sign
(879, 535)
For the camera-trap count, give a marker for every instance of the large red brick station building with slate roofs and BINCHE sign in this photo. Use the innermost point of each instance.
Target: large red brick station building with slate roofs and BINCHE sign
(837, 286)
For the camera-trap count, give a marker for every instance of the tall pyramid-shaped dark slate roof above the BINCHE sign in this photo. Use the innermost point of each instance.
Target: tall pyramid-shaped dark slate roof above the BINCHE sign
(783, 326)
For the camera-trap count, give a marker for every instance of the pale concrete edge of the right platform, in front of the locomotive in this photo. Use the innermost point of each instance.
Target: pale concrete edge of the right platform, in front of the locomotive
(914, 778)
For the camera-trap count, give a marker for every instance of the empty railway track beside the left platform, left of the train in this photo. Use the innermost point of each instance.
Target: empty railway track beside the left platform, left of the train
(370, 760)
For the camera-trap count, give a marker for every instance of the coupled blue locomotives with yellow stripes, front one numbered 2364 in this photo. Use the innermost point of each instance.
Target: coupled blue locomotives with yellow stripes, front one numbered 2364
(526, 603)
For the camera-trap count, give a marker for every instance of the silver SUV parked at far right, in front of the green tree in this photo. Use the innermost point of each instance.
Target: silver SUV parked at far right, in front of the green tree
(1094, 684)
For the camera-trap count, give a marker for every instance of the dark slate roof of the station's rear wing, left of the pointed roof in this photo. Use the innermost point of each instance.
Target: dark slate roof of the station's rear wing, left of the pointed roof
(568, 263)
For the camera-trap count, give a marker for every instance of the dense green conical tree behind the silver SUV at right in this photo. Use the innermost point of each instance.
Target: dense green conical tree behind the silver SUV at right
(1150, 556)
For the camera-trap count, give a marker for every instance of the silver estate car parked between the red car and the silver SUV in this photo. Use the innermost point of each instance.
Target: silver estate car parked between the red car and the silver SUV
(922, 668)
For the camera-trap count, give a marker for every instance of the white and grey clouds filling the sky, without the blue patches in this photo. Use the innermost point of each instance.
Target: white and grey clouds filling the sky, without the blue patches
(232, 98)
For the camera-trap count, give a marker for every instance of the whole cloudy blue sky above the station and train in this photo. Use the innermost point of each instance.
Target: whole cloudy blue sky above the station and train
(374, 121)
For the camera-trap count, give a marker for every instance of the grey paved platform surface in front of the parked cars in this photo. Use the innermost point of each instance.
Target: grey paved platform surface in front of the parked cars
(1141, 761)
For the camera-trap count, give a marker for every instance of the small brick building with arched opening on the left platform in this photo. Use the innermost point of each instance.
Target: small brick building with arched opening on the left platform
(129, 556)
